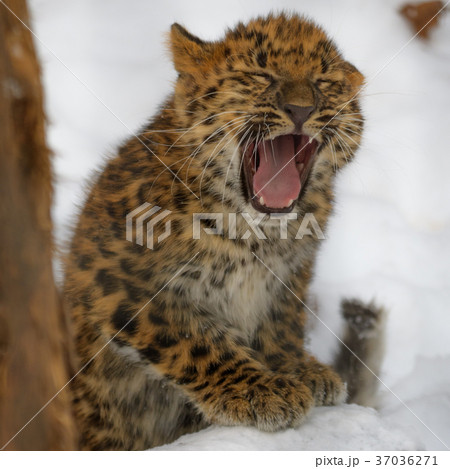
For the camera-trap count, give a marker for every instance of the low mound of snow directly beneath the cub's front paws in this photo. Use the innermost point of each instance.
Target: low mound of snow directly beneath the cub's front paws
(362, 428)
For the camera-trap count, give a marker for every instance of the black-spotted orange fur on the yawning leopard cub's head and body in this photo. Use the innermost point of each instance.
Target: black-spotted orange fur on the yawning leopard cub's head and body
(194, 331)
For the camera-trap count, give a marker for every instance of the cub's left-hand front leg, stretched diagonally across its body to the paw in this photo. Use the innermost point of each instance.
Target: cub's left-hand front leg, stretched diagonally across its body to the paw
(210, 364)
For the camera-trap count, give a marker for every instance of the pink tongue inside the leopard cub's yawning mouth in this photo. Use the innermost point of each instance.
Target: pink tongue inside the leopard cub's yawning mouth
(277, 180)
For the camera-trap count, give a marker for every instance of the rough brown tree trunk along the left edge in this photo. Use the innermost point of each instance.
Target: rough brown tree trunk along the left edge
(35, 344)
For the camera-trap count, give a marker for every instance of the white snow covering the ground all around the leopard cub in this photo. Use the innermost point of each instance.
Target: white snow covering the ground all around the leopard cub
(390, 236)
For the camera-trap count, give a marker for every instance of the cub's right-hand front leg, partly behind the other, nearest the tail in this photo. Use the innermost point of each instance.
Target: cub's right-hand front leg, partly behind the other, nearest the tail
(279, 343)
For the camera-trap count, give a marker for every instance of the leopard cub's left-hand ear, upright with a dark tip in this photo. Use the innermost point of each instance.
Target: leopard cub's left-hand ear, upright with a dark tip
(189, 53)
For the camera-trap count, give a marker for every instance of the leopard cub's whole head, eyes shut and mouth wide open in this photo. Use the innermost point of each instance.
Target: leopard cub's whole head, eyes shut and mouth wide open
(267, 109)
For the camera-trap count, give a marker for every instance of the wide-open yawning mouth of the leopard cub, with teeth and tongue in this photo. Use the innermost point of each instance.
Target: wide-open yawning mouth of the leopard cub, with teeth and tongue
(276, 171)
